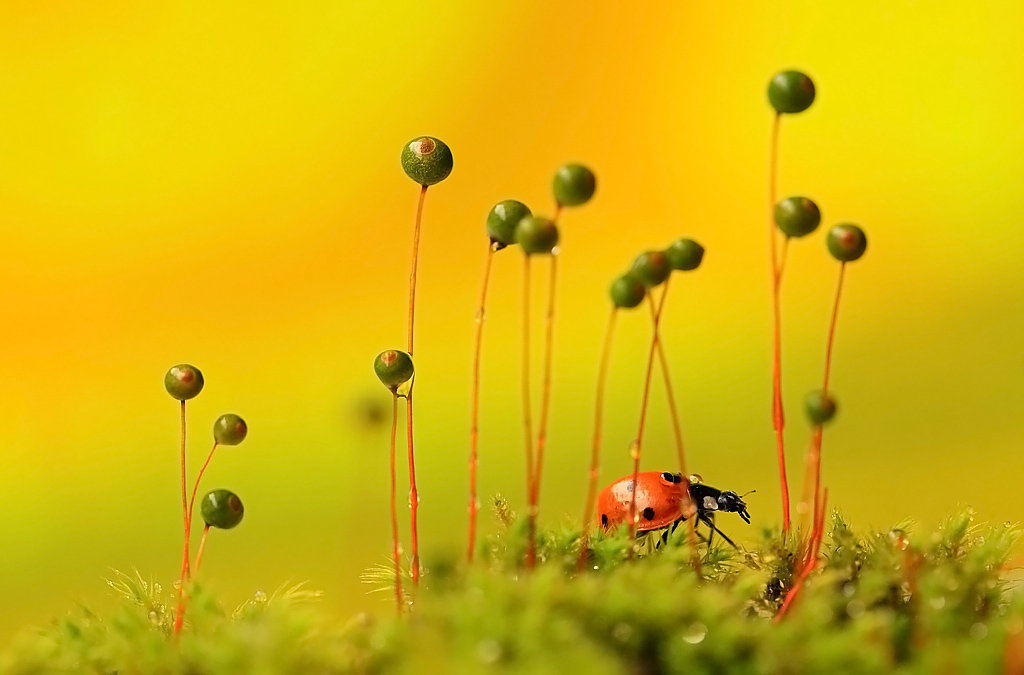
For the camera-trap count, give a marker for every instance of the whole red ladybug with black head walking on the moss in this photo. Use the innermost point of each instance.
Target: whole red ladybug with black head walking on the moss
(660, 502)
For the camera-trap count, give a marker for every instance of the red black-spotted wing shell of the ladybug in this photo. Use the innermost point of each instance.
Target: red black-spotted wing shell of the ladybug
(660, 501)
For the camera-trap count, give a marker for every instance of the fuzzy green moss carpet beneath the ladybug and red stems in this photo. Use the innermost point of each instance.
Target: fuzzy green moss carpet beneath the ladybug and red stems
(902, 601)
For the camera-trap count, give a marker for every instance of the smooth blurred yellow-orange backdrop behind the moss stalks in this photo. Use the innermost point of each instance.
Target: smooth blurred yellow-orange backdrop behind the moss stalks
(219, 184)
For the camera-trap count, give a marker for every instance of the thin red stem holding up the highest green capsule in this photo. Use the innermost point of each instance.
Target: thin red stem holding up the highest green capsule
(779, 417)
